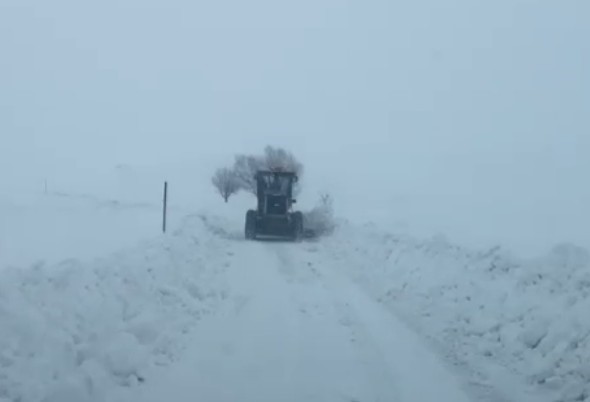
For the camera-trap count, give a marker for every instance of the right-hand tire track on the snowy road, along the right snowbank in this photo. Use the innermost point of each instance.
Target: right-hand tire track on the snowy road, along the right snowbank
(400, 367)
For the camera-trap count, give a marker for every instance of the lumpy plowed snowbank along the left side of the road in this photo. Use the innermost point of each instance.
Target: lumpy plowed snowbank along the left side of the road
(71, 331)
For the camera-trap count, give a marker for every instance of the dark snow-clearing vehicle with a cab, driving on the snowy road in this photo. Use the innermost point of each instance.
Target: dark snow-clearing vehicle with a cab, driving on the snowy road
(274, 216)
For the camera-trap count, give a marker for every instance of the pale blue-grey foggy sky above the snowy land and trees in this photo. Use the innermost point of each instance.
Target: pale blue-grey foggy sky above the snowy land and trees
(470, 116)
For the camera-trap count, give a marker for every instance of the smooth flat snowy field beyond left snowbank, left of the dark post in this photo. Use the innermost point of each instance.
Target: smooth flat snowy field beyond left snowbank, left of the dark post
(37, 228)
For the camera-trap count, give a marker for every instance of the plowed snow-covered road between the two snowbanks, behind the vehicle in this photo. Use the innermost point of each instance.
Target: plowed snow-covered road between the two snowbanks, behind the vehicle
(296, 329)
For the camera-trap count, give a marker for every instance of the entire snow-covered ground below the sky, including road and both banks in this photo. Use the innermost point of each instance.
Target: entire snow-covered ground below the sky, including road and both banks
(199, 313)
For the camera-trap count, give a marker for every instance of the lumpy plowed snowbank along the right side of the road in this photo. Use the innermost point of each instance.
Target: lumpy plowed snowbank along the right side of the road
(498, 316)
